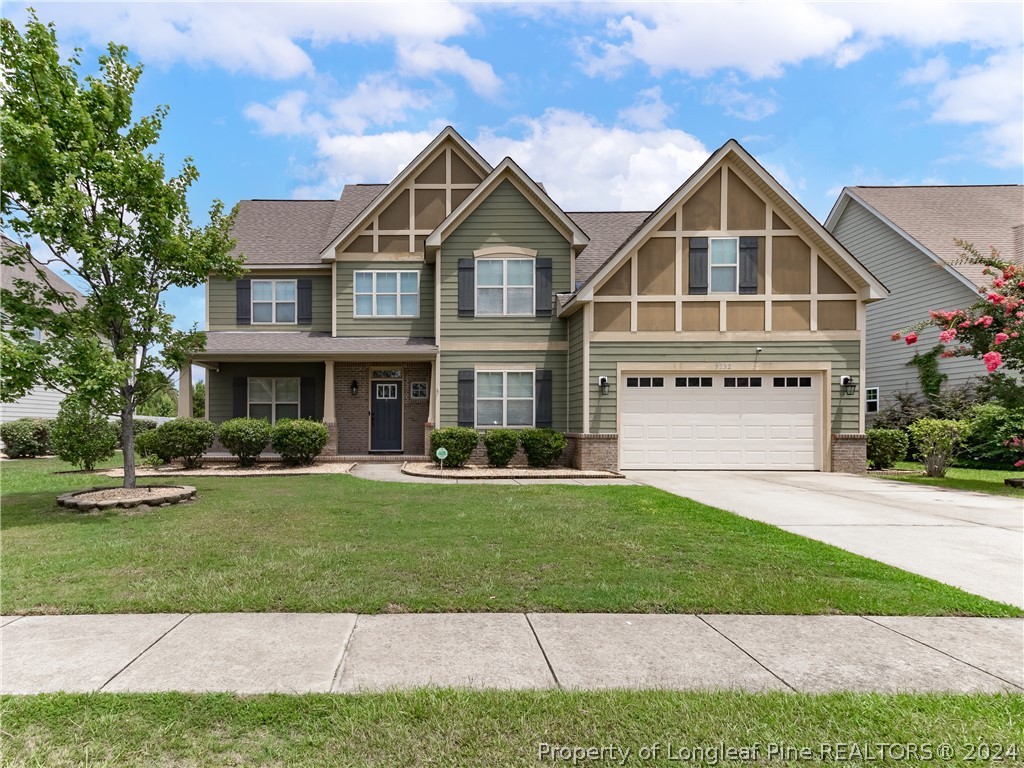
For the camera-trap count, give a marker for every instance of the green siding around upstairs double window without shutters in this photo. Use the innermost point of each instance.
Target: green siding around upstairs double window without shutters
(413, 327)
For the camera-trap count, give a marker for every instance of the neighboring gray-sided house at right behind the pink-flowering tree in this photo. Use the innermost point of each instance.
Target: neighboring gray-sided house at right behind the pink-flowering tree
(906, 236)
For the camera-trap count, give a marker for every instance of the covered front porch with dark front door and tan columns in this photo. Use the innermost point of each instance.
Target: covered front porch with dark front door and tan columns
(376, 397)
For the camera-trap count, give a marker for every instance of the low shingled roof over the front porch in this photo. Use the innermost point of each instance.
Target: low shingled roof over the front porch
(224, 345)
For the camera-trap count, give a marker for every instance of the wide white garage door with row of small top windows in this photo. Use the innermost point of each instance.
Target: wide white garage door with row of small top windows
(719, 421)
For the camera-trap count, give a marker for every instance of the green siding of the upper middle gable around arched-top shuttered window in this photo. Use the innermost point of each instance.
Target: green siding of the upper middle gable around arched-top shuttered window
(505, 219)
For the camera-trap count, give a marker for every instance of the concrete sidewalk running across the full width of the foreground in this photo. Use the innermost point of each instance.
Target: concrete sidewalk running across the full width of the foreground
(346, 653)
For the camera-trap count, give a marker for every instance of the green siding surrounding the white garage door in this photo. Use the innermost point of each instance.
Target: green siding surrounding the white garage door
(844, 357)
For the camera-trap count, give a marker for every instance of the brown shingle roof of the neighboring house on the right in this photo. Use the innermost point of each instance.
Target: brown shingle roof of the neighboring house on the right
(936, 216)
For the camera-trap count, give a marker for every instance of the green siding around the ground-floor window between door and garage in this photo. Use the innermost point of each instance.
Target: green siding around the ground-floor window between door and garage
(452, 363)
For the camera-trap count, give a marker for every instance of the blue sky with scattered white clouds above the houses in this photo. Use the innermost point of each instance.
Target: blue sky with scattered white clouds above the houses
(612, 106)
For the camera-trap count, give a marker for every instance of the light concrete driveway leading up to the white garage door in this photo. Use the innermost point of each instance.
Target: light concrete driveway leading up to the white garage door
(971, 541)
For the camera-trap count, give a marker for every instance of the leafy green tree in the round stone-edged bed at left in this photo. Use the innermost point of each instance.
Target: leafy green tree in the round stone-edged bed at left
(79, 175)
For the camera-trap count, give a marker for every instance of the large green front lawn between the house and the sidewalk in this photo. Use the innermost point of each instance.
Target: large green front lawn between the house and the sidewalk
(334, 543)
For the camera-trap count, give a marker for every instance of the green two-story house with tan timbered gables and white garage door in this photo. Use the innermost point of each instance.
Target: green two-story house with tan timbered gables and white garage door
(715, 332)
